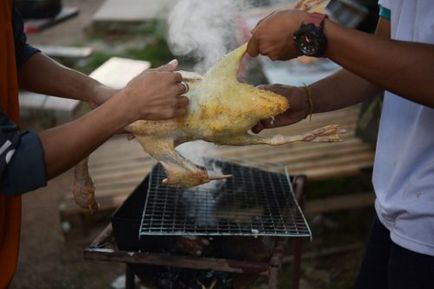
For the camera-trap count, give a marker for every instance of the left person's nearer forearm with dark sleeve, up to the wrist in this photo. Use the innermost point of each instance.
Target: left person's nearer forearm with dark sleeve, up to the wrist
(28, 161)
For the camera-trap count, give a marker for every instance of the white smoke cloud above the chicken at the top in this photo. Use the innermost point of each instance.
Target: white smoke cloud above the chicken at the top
(205, 29)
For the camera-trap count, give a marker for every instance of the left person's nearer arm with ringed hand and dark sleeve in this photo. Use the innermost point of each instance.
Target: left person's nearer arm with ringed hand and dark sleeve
(155, 94)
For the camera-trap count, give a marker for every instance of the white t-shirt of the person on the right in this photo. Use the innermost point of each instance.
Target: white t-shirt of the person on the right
(403, 175)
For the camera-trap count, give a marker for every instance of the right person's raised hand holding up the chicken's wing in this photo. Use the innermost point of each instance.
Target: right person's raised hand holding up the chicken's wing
(273, 35)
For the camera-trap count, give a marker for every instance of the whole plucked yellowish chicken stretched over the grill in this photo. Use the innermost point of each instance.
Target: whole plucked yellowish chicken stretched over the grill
(222, 110)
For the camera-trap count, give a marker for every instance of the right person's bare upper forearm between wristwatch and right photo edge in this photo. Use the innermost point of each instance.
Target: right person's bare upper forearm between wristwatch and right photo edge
(405, 68)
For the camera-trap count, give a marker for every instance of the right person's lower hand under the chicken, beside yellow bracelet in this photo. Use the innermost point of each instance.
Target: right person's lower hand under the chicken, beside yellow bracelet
(298, 107)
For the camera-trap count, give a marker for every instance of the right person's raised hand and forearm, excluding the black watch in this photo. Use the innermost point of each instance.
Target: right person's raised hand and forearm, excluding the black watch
(404, 68)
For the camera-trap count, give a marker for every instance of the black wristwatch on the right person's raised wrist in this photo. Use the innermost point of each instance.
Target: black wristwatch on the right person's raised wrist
(310, 38)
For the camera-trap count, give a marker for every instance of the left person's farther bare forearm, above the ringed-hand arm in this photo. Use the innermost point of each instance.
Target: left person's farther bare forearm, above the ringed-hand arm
(42, 74)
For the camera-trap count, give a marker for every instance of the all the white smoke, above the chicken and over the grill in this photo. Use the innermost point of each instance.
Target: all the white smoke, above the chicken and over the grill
(206, 30)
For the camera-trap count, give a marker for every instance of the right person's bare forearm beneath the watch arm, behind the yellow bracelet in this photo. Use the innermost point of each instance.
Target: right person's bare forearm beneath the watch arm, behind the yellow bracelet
(340, 90)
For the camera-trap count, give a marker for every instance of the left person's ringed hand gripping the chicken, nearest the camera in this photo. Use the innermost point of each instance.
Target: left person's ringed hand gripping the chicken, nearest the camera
(157, 94)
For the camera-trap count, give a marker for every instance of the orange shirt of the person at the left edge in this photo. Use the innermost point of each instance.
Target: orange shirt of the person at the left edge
(10, 207)
